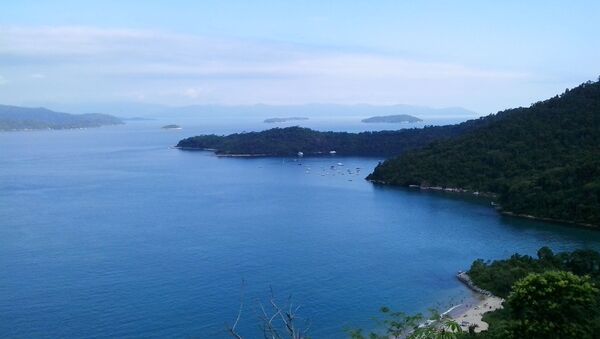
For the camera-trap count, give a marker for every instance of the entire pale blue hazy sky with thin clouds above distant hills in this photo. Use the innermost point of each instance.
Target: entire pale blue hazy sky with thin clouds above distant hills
(482, 55)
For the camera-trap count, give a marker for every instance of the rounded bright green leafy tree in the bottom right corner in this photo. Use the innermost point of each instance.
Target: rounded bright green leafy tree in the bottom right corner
(554, 304)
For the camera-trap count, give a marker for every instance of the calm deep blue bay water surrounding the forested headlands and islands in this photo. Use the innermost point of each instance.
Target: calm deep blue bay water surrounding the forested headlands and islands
(110, 233)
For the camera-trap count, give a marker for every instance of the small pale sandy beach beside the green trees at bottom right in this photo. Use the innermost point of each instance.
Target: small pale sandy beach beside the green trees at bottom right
(472, 314)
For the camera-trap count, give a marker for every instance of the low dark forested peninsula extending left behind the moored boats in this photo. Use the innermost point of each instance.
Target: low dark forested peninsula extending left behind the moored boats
(291, 140)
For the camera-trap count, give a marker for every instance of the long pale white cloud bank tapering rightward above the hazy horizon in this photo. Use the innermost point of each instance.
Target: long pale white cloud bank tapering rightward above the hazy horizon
(169, 66)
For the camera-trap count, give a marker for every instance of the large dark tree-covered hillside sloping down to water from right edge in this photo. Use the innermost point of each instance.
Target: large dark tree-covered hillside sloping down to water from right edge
(543, 160)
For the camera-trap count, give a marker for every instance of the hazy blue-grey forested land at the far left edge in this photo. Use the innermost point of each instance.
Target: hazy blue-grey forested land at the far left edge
(14, 118)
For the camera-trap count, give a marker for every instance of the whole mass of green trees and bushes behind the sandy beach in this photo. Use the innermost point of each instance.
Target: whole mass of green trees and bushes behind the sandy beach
(552, 296)
